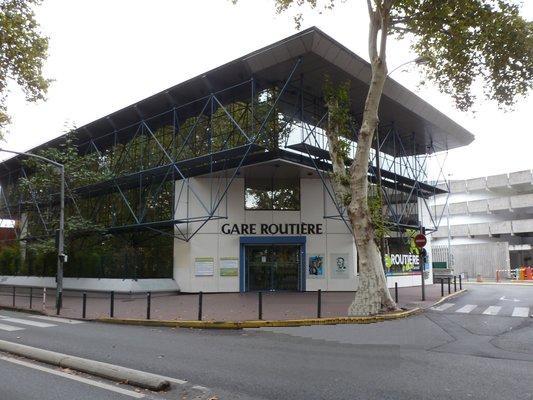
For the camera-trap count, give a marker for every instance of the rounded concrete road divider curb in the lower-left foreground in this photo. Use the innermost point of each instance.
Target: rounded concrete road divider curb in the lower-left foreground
(109, 371)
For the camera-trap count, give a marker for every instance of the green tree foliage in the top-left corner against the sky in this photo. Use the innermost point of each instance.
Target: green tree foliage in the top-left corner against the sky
(23, 50)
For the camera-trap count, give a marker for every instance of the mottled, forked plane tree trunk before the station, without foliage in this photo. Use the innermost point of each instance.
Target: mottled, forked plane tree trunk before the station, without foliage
(351, 186)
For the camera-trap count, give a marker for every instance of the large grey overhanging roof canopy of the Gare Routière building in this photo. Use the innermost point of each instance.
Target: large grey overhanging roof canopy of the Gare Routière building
(320, 55)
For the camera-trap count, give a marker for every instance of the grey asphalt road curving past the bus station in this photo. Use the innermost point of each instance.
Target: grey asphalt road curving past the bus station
(441, 354)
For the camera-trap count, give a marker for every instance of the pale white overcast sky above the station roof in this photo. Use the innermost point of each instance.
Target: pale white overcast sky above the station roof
(107, 54)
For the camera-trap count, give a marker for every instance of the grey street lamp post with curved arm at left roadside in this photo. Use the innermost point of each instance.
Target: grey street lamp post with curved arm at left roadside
(61, 236)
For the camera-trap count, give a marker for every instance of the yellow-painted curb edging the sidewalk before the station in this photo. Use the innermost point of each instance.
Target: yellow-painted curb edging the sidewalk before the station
(261, 323)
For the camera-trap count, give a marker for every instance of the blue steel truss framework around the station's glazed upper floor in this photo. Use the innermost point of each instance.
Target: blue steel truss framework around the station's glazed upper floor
(147, 162)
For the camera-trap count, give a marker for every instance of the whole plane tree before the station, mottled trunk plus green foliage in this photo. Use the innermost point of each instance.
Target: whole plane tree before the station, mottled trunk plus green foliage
(462, 41)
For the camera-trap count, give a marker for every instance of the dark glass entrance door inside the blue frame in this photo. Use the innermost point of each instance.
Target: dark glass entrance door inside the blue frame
(272, 267)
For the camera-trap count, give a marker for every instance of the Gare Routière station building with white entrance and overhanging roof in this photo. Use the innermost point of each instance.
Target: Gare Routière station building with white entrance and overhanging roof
(233, 173)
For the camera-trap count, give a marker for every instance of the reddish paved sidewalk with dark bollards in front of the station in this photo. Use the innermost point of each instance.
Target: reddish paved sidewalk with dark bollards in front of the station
(215, 307)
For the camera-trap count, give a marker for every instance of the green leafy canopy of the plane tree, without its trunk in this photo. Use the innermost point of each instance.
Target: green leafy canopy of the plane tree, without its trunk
(460, 41)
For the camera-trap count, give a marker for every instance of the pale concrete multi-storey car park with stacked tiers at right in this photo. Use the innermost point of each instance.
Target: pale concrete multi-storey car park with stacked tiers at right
(493, 213)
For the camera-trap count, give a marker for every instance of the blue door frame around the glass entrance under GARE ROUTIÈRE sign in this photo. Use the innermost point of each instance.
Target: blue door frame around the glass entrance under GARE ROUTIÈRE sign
(298, 240)
